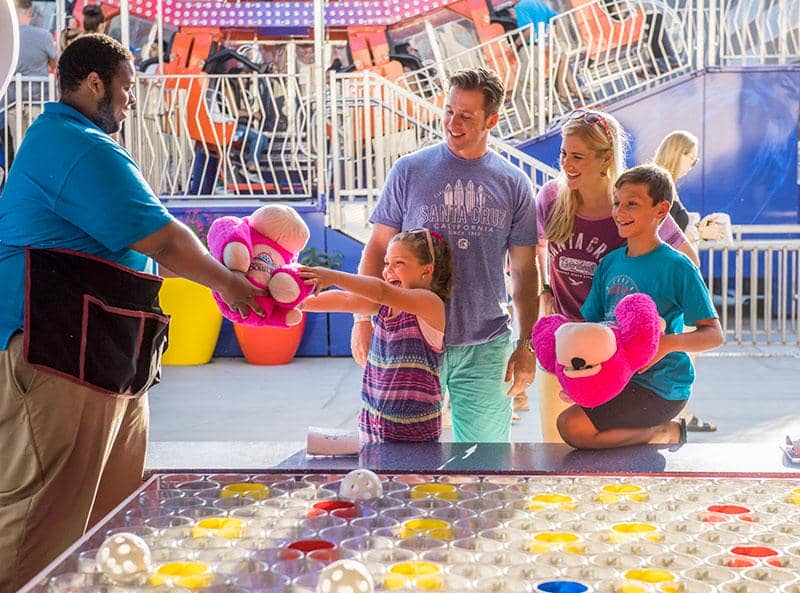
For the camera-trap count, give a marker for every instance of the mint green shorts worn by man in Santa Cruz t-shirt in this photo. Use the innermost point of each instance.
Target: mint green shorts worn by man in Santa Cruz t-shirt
(474, 376)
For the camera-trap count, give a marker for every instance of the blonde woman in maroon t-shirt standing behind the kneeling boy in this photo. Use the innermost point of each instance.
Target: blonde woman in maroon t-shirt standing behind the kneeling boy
(576, 230)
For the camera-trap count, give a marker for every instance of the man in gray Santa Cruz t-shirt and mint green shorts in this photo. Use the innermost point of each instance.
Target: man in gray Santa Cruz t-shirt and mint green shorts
(485, 209)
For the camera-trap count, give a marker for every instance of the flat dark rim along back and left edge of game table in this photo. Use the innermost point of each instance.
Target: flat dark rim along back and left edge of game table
(702, 461)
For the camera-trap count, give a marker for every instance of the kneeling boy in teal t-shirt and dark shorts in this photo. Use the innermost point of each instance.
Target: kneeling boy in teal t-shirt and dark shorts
(644, 411)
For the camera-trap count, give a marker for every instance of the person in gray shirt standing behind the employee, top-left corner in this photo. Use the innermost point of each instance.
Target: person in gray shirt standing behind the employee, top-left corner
(37, 56)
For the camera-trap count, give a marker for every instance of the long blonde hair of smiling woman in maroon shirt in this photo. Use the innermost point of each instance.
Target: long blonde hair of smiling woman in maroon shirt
(595, 134)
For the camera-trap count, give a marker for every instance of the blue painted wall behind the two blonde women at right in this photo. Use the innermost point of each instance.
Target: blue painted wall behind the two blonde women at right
(747, 123)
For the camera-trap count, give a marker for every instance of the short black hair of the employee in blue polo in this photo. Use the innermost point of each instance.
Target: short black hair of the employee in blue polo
(90, 53)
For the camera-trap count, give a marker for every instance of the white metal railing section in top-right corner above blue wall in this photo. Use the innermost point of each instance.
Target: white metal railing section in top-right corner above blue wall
(755, 32)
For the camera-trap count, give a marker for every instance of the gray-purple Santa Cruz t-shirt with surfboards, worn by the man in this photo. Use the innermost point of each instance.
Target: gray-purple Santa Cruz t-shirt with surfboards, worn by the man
(481, 207)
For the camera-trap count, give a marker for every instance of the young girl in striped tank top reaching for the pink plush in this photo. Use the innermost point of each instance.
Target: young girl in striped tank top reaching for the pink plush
(400, 393)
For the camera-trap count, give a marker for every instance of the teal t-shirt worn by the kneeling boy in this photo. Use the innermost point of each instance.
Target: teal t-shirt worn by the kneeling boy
(681, 297)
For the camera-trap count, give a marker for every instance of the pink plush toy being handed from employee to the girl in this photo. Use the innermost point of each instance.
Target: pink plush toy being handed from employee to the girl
(264, 246)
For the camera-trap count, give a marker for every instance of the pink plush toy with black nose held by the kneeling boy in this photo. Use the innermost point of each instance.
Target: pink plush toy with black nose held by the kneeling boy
(594, 361)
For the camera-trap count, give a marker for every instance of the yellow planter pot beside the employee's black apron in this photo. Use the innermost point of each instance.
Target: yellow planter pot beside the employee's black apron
(195, 322)
